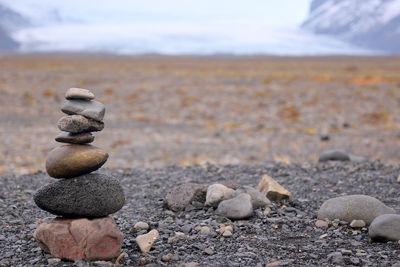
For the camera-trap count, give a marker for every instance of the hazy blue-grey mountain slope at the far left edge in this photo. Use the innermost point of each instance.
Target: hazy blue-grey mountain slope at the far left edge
(9, 22)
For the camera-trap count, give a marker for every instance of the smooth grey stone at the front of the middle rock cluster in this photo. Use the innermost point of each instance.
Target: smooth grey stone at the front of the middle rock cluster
(239, 207)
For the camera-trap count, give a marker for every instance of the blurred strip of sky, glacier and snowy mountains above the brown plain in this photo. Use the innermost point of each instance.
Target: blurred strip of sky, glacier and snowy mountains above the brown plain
(301, 27)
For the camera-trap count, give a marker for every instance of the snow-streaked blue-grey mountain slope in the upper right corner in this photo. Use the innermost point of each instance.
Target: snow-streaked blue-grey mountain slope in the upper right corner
(373, 24)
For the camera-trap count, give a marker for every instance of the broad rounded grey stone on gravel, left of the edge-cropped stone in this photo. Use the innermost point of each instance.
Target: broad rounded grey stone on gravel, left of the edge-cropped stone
(353, 207)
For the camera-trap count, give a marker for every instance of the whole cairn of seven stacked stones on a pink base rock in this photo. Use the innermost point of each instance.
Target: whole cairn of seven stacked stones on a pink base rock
(82, 200)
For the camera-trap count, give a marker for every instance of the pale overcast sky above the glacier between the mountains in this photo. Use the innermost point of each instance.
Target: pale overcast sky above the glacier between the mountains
(275, 13)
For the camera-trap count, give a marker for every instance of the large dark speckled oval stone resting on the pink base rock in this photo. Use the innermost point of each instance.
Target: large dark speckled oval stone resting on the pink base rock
(88, 196)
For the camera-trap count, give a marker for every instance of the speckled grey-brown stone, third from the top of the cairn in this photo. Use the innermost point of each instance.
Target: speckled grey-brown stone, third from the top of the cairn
(79, 124)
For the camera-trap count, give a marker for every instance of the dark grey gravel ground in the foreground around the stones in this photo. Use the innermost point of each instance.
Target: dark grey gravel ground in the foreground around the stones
(288, 234)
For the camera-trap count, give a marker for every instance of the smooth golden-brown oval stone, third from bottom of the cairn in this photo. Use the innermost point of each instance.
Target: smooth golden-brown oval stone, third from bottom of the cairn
(72, 160)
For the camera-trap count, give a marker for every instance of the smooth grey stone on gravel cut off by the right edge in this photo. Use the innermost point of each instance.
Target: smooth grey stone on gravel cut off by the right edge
(385, 227)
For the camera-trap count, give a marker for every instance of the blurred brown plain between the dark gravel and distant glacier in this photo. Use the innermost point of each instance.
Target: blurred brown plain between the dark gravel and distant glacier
(191, 110)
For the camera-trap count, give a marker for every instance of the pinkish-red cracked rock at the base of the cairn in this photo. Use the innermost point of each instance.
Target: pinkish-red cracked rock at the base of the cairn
(72, 239)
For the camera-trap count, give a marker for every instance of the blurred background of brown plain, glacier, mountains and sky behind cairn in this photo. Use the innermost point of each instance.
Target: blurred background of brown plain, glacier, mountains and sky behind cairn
(190, 82)
